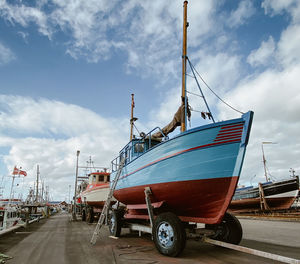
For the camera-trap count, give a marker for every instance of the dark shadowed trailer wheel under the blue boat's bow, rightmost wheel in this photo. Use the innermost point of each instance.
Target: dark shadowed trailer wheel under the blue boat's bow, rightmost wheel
(229, 230)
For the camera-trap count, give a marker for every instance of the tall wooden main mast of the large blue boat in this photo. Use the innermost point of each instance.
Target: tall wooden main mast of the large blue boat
(184, 49)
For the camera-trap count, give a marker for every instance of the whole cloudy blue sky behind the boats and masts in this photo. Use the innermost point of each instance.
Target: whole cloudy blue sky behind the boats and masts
(68, 69)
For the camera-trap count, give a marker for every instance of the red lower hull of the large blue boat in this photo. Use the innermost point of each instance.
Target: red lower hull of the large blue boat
(200, 201)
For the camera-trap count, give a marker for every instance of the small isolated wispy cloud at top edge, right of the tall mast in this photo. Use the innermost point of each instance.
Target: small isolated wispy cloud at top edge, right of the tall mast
(239, 16)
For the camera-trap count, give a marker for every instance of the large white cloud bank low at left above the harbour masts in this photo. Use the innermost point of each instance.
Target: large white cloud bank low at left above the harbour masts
(49, 133)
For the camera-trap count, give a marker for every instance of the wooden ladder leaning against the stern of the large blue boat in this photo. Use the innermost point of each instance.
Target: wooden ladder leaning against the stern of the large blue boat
(105, 210)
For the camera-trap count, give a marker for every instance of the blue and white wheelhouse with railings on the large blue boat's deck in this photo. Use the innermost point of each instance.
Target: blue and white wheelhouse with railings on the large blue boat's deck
(127, 151)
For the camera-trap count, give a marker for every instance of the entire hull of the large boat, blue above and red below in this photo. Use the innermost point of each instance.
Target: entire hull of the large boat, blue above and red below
(194, 175)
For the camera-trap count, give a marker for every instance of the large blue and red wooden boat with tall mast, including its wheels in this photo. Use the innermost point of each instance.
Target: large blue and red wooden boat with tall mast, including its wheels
(191, 177)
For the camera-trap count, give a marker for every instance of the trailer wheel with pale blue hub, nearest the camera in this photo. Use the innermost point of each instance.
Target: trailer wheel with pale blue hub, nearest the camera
(169, 234)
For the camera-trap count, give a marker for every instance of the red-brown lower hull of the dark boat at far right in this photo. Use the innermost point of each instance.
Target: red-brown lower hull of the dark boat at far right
(253, 204)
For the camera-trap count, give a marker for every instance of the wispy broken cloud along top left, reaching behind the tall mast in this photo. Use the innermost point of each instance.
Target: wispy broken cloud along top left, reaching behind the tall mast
(148, 31)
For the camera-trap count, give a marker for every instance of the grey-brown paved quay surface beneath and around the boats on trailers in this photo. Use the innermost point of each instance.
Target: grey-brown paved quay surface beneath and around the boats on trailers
(58, 241)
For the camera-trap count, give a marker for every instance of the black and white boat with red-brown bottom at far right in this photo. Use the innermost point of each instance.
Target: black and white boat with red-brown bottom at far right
(278, 196)
